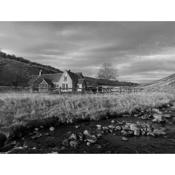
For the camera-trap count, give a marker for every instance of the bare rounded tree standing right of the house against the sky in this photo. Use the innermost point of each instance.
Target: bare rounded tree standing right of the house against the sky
(107, 71)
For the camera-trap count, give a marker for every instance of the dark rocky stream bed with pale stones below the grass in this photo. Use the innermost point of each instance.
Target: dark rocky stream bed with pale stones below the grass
(148, 131)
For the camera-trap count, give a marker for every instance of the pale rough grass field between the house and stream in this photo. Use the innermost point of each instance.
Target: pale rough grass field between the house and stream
(20, 107)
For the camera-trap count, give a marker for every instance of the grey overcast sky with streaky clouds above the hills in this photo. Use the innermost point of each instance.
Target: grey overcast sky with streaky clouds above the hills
(141, 51)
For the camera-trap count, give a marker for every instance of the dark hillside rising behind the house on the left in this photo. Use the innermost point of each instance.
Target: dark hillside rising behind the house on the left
(16, 71)
